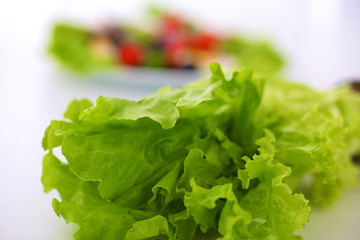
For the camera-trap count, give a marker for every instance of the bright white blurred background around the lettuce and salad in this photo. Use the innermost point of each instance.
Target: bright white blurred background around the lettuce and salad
(320, 39)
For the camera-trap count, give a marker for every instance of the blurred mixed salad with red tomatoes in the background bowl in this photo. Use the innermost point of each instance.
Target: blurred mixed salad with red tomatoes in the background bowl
(166, 41)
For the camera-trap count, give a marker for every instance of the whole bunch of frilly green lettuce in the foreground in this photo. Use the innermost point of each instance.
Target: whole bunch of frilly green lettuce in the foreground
(219, 159)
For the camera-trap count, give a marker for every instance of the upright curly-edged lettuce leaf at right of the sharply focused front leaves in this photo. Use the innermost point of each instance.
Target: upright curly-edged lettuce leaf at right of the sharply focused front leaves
(272, 201)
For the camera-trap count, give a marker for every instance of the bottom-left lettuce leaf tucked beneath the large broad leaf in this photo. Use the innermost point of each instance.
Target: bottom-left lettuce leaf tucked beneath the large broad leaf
(82, 204)
